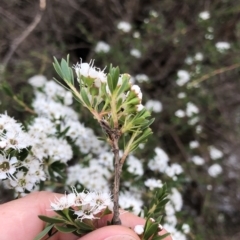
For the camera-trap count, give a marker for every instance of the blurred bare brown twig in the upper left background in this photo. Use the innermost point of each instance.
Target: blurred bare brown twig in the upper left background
(17, 41)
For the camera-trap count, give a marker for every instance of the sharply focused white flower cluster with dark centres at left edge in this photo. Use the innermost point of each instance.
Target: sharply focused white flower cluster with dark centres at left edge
(13, 137)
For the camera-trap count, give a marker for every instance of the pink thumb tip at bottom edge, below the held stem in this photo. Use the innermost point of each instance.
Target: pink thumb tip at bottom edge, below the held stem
(111, 233)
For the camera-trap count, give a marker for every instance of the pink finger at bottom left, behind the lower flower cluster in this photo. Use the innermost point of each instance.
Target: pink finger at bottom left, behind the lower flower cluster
(19, 218)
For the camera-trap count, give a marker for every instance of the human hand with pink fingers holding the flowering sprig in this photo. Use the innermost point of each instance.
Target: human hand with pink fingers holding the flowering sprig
(19, 220)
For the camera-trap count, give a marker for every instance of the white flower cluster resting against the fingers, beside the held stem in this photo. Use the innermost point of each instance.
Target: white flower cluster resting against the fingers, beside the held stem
(86, 205)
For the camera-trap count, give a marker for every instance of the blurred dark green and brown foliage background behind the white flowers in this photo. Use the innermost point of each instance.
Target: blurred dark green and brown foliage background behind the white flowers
(74, 27)
